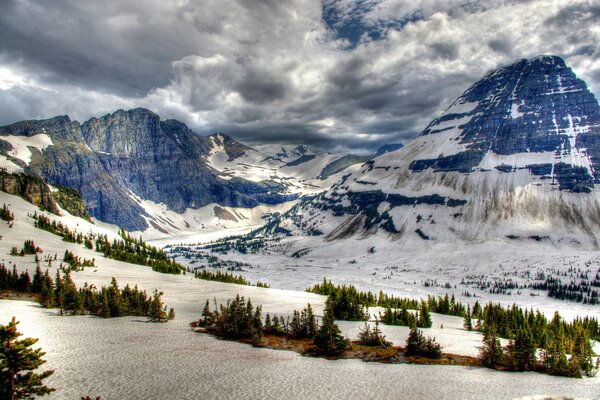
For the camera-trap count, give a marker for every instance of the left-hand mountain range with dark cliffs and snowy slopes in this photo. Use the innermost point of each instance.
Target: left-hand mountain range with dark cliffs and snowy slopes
(140, 172)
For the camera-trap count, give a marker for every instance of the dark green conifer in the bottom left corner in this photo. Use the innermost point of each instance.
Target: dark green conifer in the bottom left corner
(17, 363)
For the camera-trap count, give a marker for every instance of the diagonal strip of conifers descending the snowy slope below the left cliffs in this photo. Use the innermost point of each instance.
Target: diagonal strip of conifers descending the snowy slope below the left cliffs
(131, 250)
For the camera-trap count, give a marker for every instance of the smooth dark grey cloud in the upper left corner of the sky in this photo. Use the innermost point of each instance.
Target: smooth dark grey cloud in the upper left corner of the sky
(87, 44)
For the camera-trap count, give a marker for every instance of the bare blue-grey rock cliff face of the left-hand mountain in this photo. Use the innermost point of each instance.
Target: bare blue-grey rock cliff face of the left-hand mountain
(118, 159)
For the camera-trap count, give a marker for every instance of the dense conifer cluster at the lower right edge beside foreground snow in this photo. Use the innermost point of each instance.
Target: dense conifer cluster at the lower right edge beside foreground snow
(536, 344)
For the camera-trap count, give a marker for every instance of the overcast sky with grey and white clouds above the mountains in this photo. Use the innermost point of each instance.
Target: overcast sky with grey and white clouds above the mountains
(335, 74)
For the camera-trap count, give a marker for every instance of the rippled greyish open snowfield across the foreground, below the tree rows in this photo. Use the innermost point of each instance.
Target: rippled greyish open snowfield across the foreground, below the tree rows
(126, 358)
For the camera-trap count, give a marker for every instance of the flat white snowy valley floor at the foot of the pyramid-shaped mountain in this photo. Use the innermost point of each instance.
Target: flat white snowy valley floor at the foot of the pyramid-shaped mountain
(416, 271)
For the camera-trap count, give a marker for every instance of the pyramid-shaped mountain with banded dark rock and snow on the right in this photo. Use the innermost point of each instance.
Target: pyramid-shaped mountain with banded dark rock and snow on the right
(516, 157)
